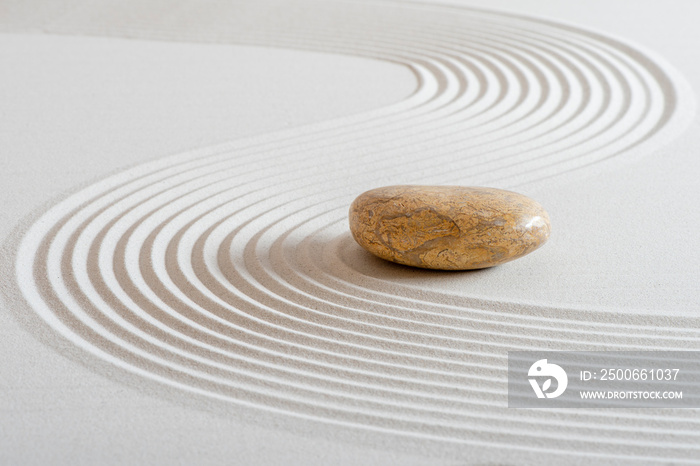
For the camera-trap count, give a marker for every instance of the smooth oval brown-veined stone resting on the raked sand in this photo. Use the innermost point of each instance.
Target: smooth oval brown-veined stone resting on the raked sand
(448, 227)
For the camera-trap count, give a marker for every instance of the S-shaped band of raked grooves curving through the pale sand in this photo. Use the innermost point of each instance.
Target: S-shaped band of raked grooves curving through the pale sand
(228, 272)
